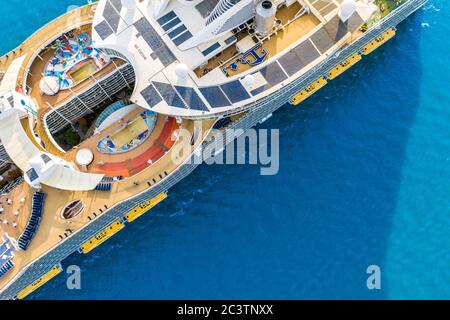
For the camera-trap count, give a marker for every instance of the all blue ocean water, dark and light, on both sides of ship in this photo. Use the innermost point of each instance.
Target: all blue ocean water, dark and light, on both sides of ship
(364, 179)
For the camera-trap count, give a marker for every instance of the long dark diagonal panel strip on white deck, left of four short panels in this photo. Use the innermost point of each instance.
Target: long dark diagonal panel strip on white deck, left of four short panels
(154, 41)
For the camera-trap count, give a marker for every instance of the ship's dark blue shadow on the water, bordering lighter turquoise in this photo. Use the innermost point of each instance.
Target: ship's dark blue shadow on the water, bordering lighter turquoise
(309, 232)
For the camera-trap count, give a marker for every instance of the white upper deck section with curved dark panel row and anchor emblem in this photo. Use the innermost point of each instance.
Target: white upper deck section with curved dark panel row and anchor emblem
(188, 66)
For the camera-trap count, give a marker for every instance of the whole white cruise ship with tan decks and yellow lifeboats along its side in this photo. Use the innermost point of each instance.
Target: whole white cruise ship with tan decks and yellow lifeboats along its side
(92, 104)
